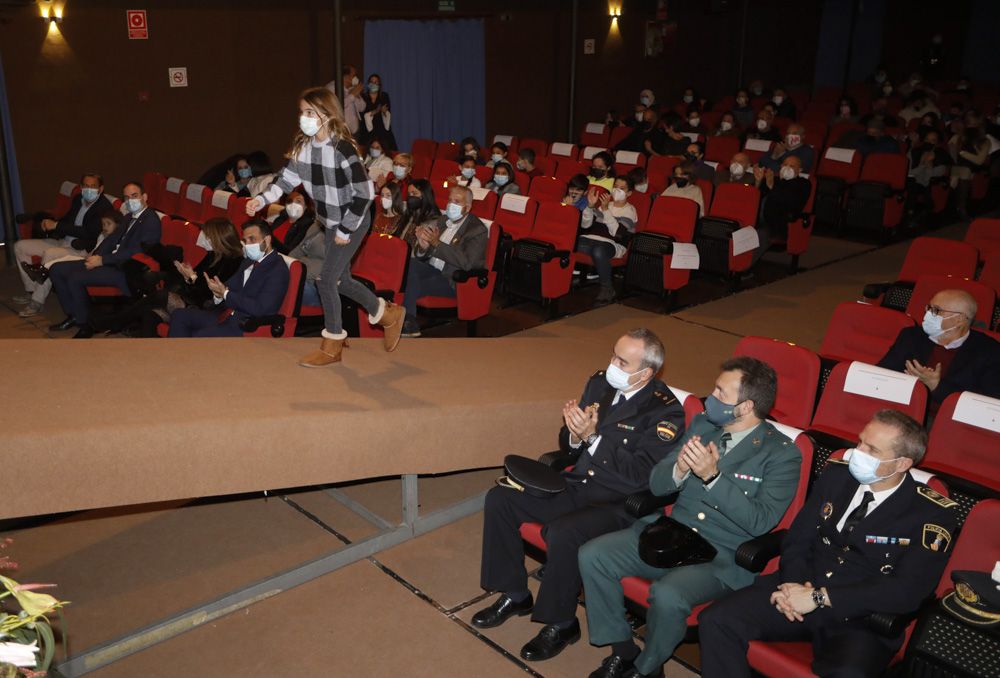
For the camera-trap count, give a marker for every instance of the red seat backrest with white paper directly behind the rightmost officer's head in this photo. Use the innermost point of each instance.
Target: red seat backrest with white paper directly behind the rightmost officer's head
(855, 391)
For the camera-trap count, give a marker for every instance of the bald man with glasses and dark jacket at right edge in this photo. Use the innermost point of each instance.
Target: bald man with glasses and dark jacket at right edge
(944, 353)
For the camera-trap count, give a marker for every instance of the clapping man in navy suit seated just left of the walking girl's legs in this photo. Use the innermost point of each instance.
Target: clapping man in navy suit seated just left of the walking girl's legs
(256, 289)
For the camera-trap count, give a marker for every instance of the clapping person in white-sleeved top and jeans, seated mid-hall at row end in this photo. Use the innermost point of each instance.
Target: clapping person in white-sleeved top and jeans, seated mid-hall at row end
(606, 226)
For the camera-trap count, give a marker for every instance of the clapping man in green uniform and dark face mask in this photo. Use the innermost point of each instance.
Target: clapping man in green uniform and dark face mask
(734, 475)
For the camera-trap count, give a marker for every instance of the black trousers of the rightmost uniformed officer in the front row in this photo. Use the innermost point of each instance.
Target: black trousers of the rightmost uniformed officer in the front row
(840, 649)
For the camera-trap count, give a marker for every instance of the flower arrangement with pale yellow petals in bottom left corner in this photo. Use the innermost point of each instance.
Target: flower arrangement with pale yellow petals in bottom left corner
(27, 643)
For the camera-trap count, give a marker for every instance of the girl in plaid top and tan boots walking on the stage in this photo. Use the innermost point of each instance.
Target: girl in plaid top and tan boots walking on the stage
(326, 161)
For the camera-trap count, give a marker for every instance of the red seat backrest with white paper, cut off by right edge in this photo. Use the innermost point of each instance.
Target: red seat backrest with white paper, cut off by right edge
(965, 439)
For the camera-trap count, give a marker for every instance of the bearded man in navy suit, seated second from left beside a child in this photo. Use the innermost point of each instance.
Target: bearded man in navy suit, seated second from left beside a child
(138, 229)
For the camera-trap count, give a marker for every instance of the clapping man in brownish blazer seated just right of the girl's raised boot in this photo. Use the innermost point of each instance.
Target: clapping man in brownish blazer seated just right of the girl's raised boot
(456, 242)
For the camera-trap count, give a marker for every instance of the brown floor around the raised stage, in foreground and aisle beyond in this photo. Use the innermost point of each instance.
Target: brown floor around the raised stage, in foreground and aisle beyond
(405, 611)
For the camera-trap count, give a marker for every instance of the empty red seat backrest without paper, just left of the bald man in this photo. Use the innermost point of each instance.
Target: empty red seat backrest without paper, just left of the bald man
(861, 332)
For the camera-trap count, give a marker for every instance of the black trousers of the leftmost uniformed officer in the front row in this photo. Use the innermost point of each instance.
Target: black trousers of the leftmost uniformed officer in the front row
(570, 518)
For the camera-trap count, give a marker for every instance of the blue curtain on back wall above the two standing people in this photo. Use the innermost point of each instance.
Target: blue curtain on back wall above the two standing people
(434, 73)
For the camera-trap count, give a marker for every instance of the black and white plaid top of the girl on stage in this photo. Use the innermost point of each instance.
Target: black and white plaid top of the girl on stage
(334, 176)
